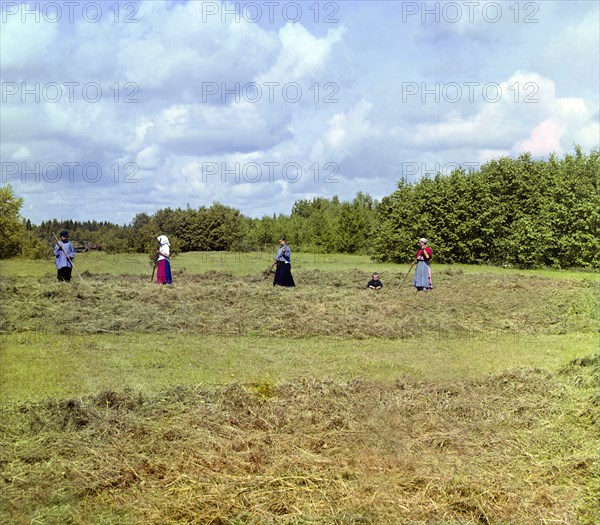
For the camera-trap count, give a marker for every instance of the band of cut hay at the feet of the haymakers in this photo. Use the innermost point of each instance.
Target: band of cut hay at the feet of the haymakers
(224, 304)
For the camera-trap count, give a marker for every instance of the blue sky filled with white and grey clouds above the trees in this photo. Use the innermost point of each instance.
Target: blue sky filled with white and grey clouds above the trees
(111, 109)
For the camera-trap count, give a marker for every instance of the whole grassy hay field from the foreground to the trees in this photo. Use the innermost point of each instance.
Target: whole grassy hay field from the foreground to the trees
(223, 400)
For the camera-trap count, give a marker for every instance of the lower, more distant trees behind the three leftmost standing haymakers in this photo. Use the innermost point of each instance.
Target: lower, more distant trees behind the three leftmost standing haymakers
(318, 224)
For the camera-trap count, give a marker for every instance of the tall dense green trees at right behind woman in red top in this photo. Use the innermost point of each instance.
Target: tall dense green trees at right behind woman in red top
(520, 212)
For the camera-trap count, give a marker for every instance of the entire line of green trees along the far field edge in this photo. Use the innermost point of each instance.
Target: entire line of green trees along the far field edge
(512, 211)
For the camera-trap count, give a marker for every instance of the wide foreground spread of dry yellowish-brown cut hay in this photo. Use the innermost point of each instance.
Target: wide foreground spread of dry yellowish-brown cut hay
(512, 448)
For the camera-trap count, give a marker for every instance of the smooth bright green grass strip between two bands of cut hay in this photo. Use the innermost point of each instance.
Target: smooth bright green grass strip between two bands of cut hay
(44, 365)
